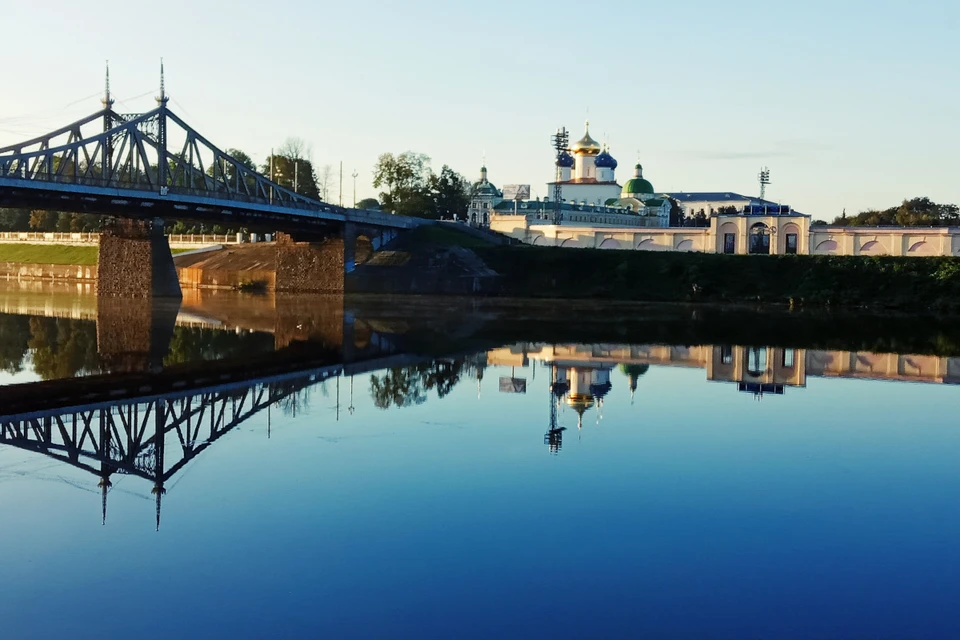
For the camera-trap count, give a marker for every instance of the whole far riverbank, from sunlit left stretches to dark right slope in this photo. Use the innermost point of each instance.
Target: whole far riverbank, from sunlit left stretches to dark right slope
(445, 261)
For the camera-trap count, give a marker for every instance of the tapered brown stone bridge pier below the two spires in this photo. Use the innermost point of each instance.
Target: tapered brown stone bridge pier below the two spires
(134, 261)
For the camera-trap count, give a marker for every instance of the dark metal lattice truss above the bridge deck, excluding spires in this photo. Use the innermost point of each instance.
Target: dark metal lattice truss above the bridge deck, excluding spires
(153, 152)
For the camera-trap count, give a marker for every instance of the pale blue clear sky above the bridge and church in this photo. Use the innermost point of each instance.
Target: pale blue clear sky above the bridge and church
(851, 104)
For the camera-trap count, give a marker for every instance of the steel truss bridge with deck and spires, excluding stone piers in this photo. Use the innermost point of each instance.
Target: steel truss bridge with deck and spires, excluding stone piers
(154, 165)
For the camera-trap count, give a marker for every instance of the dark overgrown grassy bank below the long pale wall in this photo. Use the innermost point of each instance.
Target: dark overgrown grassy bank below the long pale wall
(912, 284)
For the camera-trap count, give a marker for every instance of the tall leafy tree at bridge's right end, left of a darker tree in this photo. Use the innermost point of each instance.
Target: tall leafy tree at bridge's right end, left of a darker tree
(404, 179)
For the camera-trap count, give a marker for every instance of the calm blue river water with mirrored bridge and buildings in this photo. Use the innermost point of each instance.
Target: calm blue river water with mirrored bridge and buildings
(482, 487)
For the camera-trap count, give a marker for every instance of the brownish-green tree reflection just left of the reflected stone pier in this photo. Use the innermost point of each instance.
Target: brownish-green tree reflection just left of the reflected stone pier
(63, 347)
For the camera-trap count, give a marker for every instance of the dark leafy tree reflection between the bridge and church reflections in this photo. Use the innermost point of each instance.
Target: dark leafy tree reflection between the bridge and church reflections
(408, 386)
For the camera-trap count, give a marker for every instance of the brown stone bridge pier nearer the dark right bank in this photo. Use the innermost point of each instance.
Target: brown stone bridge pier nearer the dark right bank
(315, 264)
